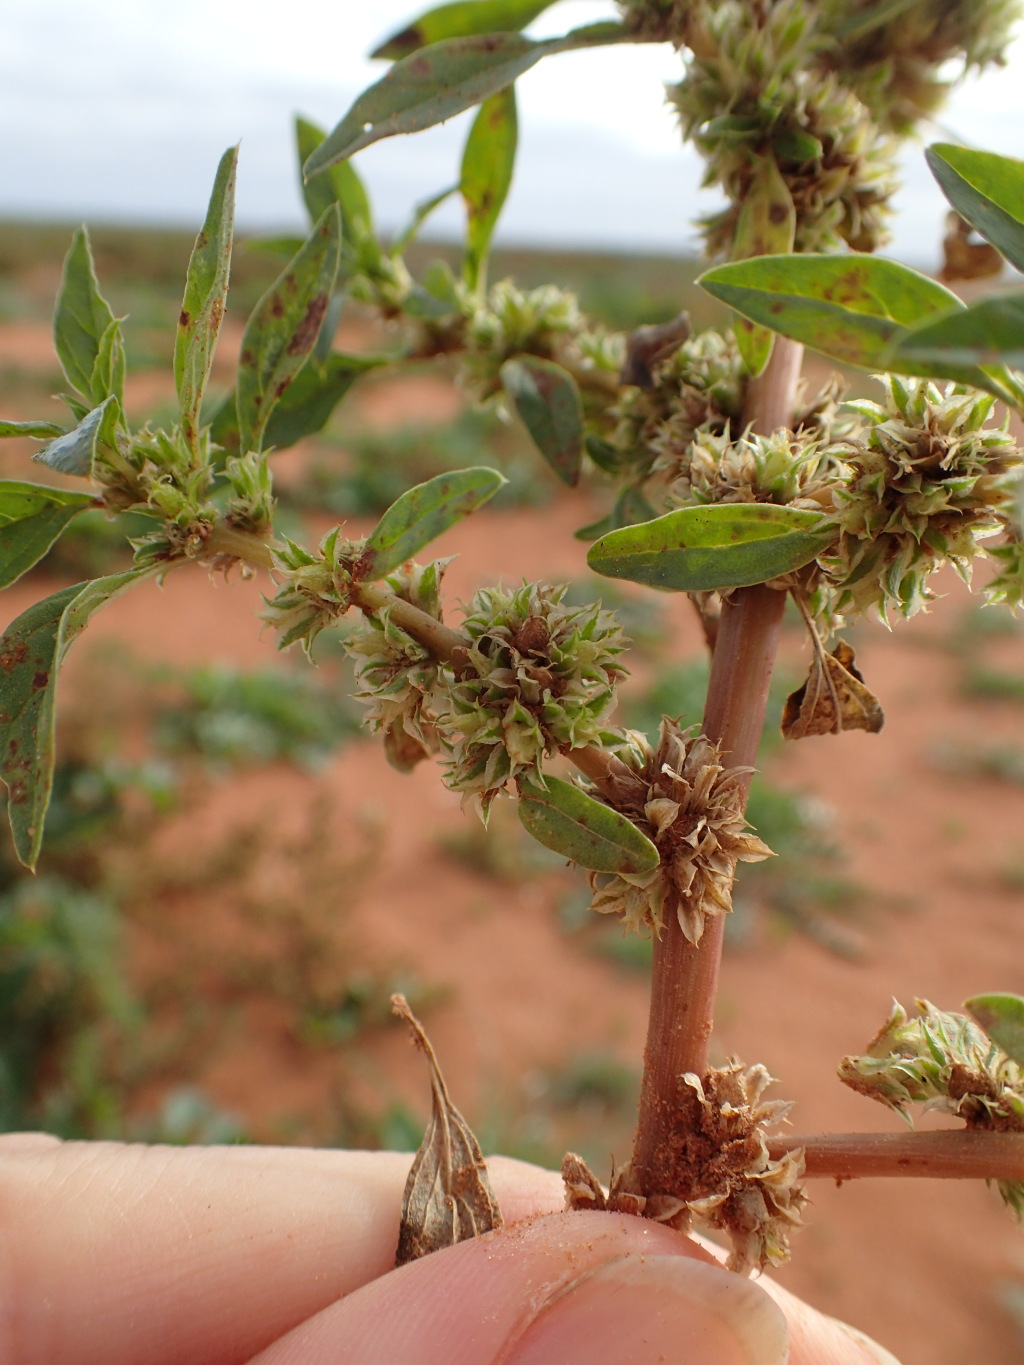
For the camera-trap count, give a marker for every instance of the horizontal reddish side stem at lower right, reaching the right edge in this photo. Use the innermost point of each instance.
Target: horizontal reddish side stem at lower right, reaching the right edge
(951, 1155)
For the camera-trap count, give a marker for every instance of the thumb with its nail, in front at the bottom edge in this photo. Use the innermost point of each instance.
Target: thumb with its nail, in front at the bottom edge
(559, 1291)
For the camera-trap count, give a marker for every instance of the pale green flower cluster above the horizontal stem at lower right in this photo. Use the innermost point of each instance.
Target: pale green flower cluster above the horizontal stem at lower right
(944, 1063)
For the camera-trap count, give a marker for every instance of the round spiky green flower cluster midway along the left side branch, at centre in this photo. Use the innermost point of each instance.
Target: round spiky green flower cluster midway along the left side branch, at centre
(539, 678)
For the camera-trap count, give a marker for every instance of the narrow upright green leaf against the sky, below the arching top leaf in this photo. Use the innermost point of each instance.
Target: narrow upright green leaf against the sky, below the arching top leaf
(487, 175)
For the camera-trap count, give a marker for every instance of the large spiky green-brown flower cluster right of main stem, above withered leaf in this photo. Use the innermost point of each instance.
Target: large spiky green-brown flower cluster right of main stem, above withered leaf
(928, 483)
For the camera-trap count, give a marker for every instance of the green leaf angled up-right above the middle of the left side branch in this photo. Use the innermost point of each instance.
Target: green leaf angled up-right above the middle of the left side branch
(423, 514)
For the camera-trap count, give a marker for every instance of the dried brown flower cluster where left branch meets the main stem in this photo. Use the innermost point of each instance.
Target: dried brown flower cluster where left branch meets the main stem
(692, 809)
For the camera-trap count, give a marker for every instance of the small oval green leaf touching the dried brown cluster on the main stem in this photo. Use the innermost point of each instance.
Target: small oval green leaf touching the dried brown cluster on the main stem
(588, 832)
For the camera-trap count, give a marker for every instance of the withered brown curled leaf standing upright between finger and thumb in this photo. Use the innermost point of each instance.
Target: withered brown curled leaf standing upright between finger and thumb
(449, 1196)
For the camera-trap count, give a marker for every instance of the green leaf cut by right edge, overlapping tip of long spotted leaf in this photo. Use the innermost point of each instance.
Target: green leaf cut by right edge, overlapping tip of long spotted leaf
(988, 334)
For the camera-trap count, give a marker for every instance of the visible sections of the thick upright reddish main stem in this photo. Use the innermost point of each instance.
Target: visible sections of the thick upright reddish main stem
(685, 979)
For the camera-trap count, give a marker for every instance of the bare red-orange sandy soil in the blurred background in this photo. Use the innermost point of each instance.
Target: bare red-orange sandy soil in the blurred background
(918, 1265)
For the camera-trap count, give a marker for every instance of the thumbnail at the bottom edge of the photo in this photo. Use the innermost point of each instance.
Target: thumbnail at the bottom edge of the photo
(641, 1310)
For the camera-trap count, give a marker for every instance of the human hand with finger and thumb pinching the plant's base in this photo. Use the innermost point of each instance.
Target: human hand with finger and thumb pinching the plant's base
(129, 1255)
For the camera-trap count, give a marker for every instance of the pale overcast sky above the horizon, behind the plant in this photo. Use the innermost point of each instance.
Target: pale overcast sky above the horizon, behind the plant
(119, 110)
